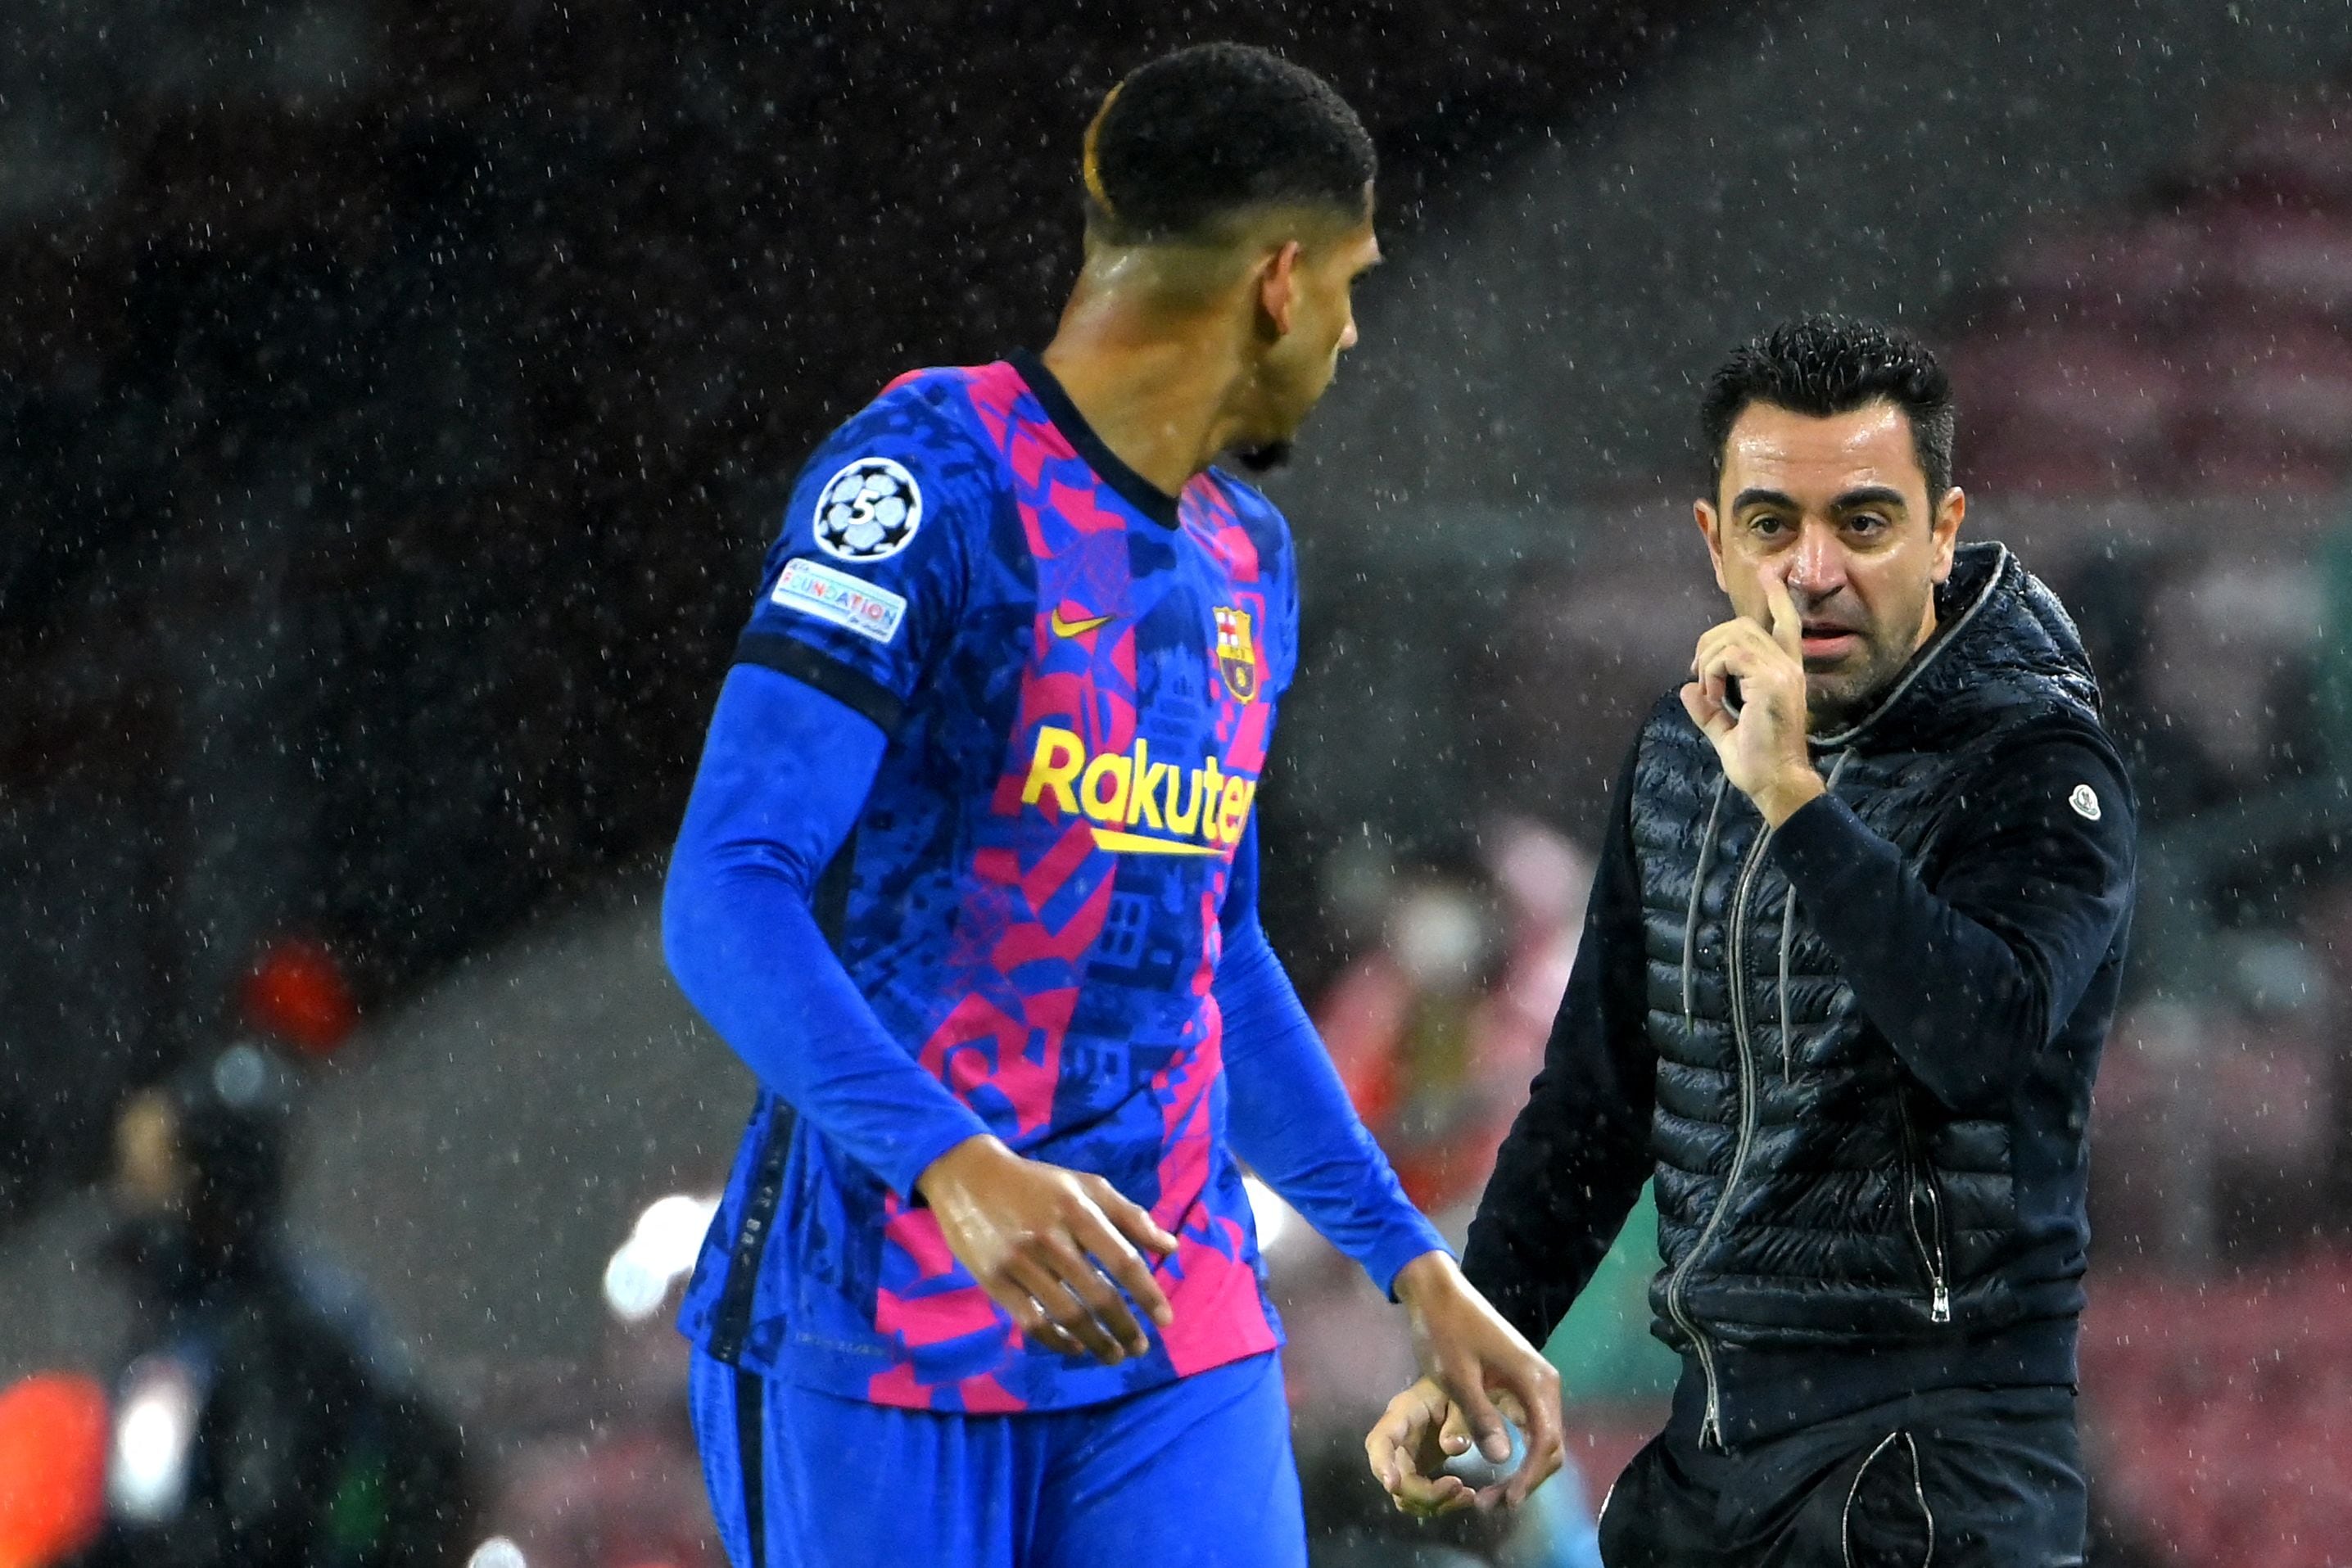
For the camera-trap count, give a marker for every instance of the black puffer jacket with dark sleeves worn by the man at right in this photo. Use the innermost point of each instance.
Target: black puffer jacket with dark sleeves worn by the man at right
(1855, 1052)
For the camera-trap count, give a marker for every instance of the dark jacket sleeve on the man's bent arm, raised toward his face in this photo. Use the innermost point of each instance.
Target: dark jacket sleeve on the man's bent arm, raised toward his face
(1975, 970)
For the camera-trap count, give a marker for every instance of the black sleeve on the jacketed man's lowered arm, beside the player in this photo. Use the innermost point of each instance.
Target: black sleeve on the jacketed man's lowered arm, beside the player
(1579, 1153)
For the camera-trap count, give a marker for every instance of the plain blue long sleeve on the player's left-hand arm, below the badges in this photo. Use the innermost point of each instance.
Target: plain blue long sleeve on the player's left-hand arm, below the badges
(782, 784)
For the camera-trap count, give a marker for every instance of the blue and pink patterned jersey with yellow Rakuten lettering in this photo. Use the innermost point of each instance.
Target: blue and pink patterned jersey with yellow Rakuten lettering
(1078, 678)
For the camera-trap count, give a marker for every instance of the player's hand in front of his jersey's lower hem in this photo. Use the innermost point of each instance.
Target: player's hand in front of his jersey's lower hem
(1048, 1247)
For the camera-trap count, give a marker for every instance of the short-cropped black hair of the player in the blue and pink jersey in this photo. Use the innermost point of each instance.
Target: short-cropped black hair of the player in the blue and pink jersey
(1205, 135)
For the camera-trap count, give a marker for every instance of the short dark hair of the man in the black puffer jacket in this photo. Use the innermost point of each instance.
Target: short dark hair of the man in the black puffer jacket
(1829, 366)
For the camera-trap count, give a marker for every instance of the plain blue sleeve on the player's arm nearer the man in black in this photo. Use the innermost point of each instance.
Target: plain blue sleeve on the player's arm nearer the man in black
(1290, 1115)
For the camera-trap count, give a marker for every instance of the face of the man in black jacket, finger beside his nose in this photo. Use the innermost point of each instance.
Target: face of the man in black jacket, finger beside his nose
(1838, 509)
